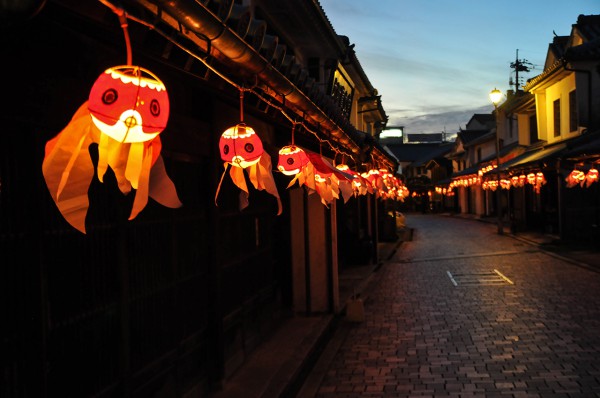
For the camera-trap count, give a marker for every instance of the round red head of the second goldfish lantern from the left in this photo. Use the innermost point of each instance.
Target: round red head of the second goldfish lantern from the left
(240, 146)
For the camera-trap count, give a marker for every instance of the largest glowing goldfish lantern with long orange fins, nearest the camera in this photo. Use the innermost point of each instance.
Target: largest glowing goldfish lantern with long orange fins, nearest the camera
(128, 107)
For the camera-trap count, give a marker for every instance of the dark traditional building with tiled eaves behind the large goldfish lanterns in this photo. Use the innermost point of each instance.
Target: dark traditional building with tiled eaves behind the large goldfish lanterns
(171, 300)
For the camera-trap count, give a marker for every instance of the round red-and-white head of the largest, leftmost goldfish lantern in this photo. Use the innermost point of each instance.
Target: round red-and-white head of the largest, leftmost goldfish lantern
(129, 104)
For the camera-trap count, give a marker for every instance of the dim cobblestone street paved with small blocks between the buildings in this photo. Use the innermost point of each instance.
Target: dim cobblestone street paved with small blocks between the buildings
(461, 311)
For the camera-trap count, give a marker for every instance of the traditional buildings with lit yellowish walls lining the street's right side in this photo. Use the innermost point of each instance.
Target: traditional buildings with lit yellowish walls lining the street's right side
(543, 170)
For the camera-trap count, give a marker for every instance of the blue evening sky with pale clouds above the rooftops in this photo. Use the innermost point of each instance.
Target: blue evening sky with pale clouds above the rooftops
(435, 61)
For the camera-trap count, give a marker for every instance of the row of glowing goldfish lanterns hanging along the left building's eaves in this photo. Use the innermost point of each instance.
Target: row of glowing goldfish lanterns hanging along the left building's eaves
(128, 108)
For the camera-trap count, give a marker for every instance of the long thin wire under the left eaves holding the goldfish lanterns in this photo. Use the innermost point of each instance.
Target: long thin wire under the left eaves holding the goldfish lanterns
(120, 11)
